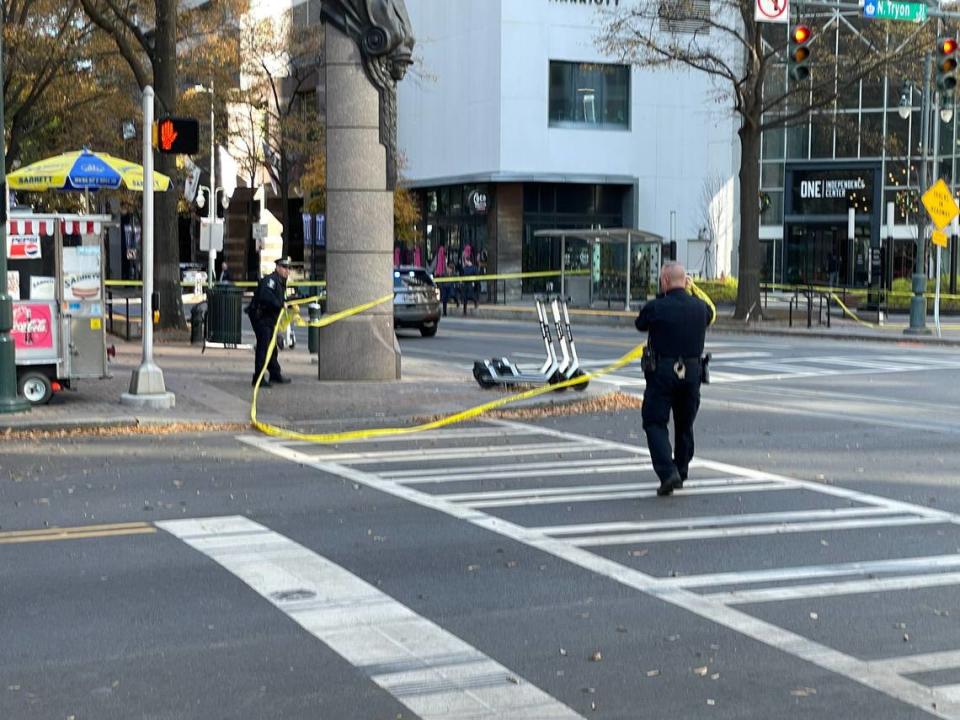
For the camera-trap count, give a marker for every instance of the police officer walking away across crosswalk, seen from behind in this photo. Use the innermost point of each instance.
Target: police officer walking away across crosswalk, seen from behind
(674, 366)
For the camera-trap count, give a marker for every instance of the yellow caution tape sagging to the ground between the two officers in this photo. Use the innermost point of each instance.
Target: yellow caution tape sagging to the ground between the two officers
(286, 319)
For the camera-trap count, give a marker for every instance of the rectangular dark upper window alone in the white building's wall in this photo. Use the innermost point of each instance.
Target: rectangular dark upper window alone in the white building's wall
(593, 95)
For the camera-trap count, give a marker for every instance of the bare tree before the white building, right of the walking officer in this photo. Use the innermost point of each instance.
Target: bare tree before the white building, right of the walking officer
(746, 61)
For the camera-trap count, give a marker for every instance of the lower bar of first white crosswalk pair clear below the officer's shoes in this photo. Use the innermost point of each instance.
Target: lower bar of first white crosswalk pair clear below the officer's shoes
(747, 531)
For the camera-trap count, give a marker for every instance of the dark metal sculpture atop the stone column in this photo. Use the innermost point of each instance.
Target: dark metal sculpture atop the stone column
(382, 30)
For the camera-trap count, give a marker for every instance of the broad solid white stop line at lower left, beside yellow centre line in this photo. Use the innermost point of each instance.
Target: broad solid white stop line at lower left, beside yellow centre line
(431, 671)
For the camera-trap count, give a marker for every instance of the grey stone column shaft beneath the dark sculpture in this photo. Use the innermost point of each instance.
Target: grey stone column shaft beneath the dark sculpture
(359, 223)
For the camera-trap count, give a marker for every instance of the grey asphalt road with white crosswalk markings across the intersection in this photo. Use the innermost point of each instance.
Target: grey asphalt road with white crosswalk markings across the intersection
(508, 569)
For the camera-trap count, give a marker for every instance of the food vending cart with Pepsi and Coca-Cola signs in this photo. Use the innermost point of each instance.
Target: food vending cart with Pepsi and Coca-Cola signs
(55, 277)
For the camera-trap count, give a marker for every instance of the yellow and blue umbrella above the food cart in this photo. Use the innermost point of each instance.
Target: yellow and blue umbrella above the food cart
(83, 170)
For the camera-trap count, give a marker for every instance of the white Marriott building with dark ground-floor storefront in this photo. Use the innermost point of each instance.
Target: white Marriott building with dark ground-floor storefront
(515, 121)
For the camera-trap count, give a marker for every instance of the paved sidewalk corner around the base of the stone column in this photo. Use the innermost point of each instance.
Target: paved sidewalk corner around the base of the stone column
(214, 388)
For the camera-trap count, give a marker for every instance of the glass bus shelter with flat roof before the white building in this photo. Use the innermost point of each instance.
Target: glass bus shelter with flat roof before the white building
(612, 265)
